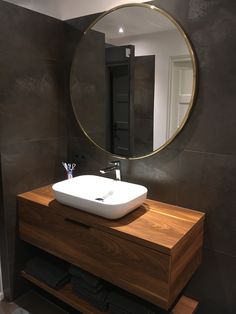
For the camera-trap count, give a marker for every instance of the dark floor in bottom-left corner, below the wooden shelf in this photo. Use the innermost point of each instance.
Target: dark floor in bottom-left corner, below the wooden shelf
(32, 302)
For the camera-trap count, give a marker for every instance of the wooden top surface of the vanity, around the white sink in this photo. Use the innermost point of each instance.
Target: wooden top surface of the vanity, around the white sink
(156, 225)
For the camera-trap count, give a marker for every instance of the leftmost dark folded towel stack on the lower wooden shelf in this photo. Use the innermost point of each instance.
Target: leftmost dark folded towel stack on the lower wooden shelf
(43, 270)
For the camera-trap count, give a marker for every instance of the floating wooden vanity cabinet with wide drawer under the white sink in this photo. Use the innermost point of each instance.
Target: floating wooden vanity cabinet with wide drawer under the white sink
(152, 252)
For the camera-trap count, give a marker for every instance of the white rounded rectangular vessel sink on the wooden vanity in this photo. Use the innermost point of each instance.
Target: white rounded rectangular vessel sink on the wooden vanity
(101, 196)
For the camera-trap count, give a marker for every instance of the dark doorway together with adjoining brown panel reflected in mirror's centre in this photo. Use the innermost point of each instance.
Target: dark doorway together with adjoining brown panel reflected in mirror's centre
(130, 100)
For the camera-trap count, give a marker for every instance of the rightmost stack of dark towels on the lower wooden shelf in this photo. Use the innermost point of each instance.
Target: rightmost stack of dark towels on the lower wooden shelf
(121, 302)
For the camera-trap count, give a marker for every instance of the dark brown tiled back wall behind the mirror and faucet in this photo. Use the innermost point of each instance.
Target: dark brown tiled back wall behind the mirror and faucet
(198, 170)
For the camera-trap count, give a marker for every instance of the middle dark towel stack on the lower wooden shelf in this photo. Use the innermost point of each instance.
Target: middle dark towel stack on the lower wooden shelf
(89, 288)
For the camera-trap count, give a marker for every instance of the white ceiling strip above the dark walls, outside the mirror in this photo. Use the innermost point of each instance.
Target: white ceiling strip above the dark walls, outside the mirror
(68, 9)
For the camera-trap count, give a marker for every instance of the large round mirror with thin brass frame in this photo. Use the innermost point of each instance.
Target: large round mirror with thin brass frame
(133, 80)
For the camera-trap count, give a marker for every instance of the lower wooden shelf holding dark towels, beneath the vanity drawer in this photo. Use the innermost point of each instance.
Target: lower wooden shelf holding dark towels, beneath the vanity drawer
(184, 306)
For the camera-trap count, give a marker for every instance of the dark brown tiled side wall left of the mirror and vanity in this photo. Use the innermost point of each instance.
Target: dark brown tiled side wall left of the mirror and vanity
(33, 129)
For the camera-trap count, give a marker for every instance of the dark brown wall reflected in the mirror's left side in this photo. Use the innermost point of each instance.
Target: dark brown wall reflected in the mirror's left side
(90, 88)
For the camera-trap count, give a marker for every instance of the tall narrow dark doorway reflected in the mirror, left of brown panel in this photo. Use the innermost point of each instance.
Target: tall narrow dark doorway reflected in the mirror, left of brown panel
(120, 74)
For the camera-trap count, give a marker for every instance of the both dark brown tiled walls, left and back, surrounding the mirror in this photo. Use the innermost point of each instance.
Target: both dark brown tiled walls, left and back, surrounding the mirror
(198, 170)
